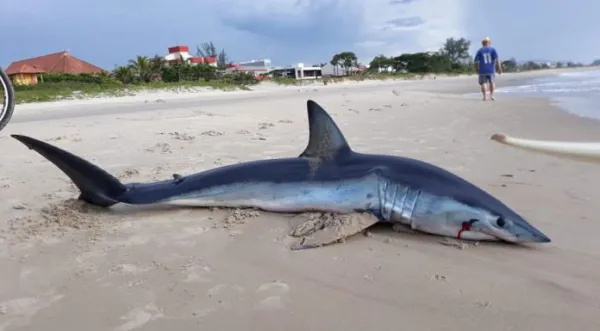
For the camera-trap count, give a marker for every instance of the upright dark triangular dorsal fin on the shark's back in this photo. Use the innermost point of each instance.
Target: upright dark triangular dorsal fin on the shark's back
(325, 141)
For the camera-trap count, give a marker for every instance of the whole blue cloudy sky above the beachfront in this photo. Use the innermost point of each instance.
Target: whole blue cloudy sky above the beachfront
(109, 32)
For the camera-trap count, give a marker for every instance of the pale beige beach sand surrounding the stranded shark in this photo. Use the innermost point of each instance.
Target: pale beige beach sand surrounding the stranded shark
(65, 265)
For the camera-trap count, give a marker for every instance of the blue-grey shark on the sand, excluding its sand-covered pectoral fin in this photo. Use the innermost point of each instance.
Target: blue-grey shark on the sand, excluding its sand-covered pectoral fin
(328, 177)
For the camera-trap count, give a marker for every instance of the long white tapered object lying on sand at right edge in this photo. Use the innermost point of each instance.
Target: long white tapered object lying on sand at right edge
(583, 151)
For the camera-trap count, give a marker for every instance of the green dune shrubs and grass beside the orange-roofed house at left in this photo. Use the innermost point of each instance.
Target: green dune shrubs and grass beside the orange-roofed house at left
(141, 73)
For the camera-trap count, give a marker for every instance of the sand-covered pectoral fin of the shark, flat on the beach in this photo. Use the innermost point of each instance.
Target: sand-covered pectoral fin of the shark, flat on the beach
(328, 228)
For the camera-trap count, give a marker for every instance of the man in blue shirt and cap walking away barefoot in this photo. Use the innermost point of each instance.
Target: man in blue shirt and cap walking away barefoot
(486, 62)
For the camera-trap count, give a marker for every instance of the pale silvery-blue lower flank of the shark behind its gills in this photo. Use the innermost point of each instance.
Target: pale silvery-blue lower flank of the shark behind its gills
(342, 196)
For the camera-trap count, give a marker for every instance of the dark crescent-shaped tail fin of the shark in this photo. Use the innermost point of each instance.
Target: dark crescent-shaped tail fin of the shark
(96, 185)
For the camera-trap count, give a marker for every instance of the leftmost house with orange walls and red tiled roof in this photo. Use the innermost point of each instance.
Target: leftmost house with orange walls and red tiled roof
(27, 72)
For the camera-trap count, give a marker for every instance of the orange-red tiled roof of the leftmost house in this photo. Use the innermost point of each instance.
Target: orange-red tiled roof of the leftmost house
(61, 62)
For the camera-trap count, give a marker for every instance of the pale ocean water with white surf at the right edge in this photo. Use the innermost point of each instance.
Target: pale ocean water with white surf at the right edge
(577, 92)
